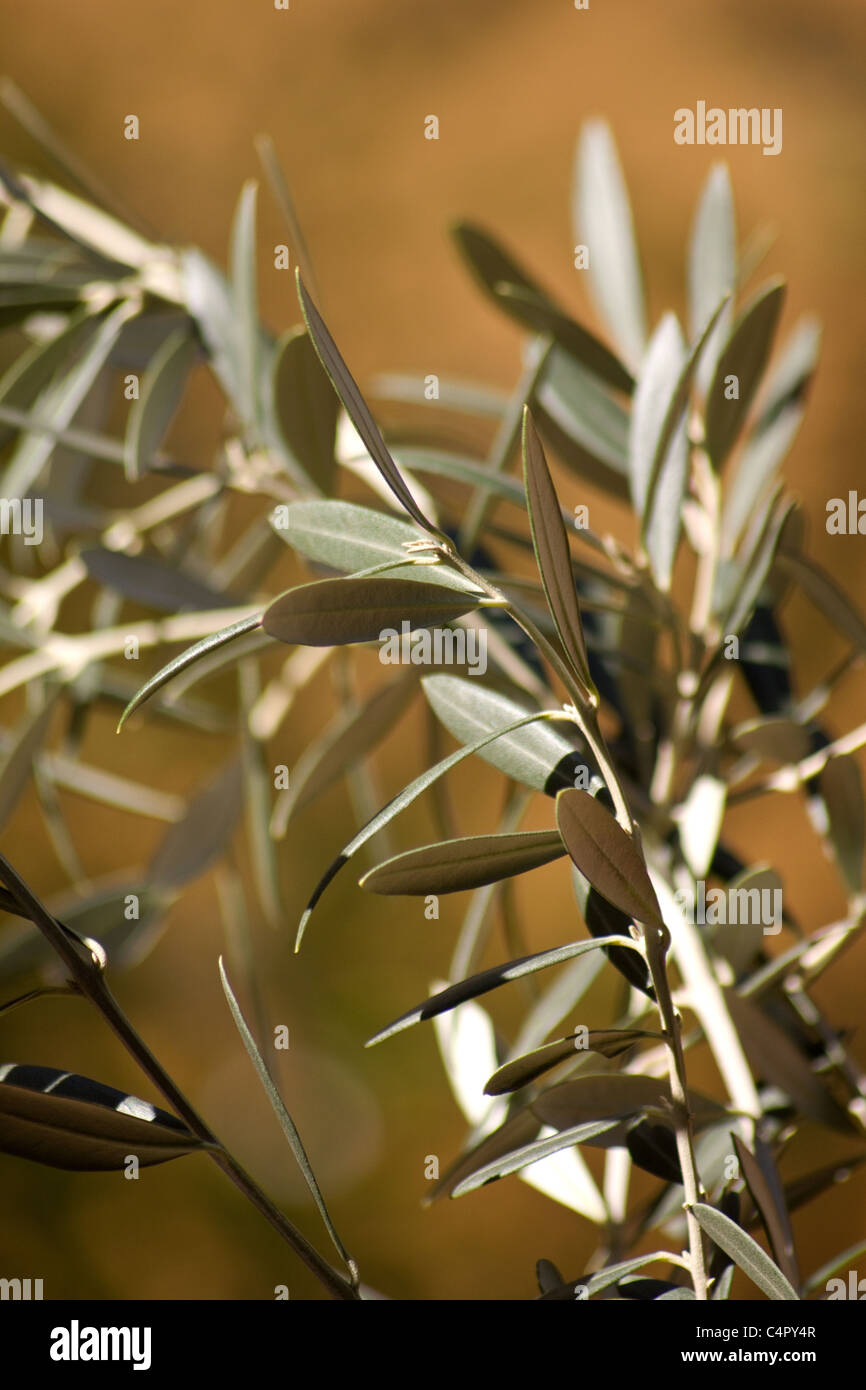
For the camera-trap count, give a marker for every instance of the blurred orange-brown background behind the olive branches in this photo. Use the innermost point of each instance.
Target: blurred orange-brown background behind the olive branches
(344, 90)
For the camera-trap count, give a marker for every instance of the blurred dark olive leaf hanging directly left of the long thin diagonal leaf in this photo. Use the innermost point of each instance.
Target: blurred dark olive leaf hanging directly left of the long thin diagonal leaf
(305, 408)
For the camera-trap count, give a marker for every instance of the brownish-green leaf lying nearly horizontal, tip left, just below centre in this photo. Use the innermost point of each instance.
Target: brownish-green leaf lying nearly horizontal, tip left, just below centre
(457, 865)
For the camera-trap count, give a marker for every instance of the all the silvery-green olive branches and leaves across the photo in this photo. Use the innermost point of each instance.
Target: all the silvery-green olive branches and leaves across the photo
(687, 426)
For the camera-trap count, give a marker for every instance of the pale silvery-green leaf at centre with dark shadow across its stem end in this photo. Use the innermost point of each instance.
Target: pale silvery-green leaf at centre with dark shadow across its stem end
(537, 755)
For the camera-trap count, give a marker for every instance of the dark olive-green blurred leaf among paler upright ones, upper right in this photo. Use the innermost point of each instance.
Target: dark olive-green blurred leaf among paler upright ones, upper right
(740, 369)
